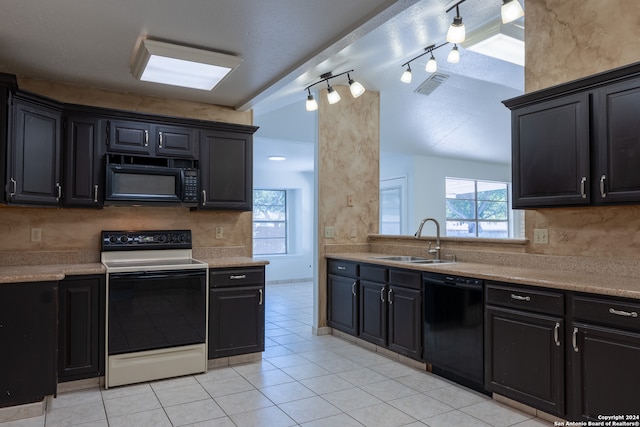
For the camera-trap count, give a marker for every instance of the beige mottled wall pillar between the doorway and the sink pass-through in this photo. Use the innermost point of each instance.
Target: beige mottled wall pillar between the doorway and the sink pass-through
(348, 166)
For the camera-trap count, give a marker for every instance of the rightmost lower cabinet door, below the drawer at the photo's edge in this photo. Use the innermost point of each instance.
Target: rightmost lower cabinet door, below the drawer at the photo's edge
(605, 372)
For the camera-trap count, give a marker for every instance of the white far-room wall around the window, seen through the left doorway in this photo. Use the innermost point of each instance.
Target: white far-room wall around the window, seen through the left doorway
(297, 265)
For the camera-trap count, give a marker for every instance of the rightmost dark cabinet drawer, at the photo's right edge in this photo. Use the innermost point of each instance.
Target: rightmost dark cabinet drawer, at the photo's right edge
(609, 312)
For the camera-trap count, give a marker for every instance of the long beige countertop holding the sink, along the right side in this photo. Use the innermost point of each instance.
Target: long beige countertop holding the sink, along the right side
(604, 284)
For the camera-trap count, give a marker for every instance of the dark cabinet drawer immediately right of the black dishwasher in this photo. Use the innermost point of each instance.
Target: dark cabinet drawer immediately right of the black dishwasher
(525, 298)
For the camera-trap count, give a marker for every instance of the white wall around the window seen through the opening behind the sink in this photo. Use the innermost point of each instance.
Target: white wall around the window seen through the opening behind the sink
(426, 181)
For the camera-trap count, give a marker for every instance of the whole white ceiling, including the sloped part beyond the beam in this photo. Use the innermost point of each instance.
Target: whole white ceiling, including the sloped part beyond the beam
(285, 45)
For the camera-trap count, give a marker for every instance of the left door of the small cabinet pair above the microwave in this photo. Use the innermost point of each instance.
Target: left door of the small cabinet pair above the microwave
(130, 137)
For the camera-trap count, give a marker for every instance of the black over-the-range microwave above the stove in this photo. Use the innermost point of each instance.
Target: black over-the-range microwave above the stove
(141, 184)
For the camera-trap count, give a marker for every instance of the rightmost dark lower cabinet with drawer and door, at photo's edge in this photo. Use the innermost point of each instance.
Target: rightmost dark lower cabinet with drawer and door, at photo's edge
(604, 355)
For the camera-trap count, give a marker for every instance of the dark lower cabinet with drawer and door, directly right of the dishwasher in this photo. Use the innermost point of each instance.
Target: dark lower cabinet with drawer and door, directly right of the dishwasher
(524, 346)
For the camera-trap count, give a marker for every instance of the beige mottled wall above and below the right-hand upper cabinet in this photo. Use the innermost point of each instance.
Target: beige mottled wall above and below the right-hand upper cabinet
(566, 40)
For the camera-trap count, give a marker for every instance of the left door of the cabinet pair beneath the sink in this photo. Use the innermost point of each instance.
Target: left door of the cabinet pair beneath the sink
(373, 312)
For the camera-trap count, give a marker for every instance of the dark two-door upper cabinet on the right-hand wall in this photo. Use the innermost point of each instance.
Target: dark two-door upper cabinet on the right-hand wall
(578, 143)
